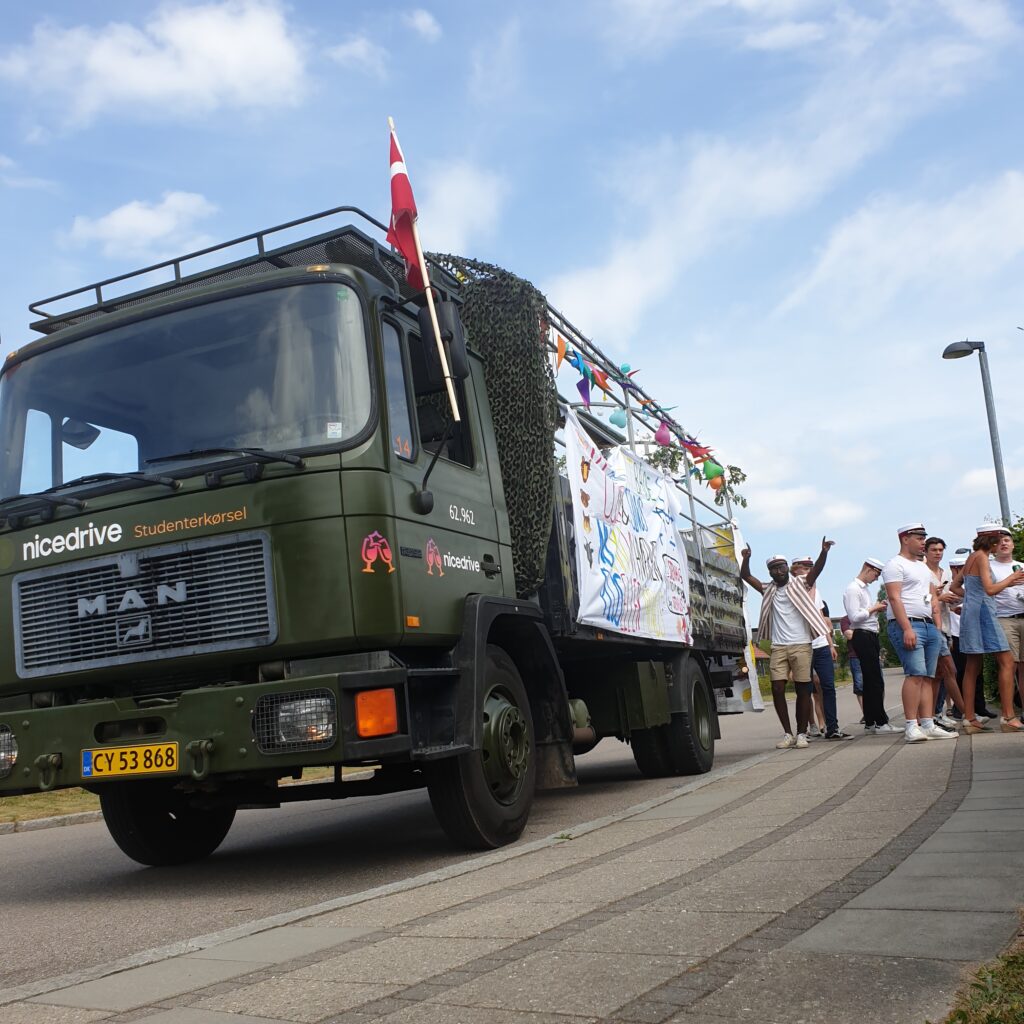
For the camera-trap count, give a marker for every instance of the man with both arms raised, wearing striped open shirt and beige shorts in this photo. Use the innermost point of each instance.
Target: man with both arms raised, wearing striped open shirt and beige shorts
(790, 621)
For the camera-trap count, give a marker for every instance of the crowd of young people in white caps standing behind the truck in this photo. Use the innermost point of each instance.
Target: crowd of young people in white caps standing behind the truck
(941, 621)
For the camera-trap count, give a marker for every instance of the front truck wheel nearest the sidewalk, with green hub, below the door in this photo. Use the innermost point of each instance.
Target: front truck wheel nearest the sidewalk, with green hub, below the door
(483, 799)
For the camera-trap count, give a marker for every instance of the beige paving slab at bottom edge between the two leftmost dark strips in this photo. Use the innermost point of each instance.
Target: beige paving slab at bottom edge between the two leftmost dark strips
(288, 999)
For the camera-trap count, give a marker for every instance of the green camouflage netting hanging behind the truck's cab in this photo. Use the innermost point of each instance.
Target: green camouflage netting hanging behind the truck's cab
(506, 321)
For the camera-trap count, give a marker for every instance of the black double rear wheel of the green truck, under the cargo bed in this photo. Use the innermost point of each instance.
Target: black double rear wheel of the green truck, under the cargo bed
(685, 746)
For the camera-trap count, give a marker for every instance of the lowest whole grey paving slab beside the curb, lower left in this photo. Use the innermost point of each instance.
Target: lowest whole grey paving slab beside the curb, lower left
(144, 986)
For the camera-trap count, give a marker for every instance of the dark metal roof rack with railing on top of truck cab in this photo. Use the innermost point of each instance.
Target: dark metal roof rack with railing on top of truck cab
(342, 245)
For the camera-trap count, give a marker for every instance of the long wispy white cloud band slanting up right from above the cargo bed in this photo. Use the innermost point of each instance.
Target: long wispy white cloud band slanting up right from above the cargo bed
(698, 194)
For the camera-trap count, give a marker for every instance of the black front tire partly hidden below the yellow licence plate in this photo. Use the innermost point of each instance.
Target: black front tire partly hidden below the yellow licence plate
(156, 826)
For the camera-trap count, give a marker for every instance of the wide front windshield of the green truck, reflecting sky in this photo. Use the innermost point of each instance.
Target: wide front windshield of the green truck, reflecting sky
(283, 369)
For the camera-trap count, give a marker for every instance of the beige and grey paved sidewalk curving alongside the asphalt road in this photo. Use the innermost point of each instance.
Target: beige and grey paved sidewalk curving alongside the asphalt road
(847, 883)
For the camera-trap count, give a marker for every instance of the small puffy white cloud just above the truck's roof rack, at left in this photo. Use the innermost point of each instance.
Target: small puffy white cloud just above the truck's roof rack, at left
(142, 230)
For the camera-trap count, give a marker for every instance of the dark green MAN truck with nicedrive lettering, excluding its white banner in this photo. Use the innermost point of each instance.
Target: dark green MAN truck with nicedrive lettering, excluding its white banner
(243, 536)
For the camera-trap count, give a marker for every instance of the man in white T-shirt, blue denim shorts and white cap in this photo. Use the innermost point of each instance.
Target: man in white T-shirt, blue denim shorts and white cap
(912, 591)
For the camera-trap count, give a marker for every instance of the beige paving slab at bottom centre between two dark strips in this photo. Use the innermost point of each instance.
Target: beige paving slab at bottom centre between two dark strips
(559, 982)
